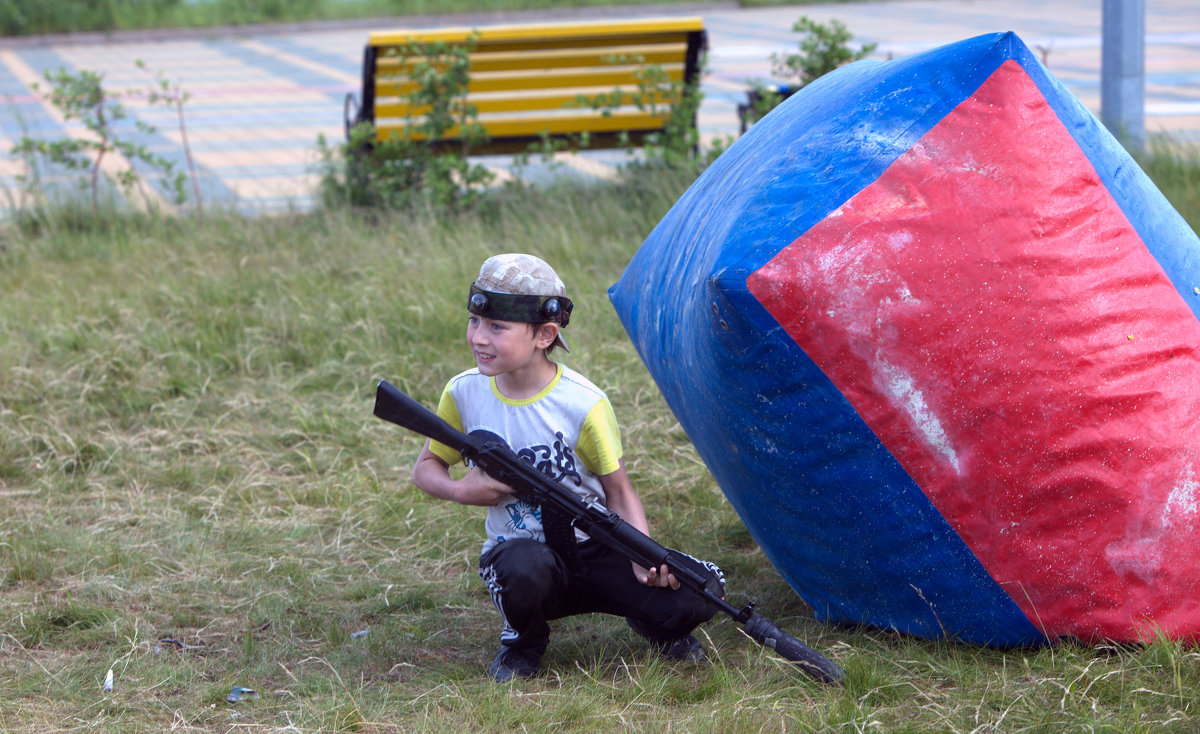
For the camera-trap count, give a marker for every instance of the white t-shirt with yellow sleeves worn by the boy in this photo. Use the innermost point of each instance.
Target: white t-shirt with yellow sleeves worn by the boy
(568, 431)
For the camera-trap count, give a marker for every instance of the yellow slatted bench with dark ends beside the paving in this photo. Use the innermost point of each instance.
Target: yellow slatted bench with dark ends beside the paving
(526, 81)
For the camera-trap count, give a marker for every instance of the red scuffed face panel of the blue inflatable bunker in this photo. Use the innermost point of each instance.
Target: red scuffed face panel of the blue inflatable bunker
(1029, 365)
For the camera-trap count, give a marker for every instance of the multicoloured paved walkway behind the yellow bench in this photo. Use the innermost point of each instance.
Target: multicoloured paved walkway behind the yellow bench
(261, 98)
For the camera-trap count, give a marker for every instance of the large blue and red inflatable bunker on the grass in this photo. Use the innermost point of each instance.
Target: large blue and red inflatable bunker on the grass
(937, 338)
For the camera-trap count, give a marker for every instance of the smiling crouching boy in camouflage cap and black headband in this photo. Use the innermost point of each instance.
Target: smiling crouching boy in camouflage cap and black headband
(538, 569)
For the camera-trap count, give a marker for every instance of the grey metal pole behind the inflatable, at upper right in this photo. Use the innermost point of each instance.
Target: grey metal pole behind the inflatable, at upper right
(1124, 71)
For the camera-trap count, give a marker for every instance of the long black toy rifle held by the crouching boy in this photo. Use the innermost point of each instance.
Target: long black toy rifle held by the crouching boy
(601, 524)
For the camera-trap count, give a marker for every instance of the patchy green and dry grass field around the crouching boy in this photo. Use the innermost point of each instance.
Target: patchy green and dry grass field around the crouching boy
(196, 496)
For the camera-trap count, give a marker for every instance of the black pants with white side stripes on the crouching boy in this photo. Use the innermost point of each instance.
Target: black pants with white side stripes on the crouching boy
(531, 585)
